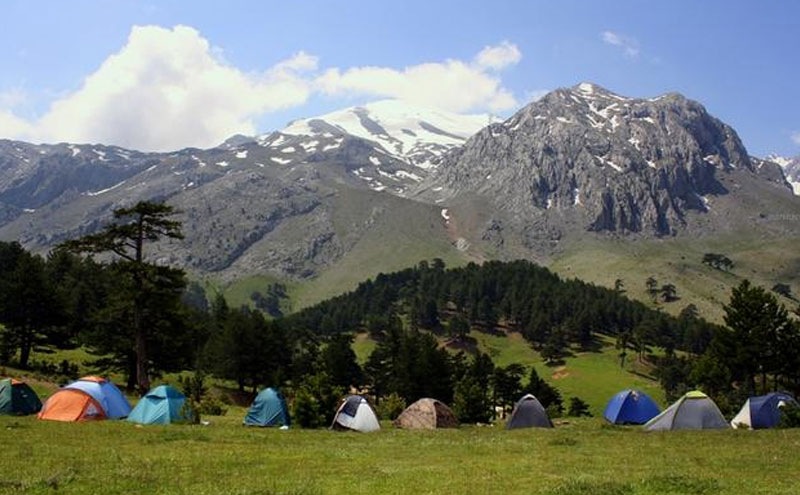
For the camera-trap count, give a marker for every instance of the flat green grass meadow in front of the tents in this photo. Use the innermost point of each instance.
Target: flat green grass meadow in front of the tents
(582, 457)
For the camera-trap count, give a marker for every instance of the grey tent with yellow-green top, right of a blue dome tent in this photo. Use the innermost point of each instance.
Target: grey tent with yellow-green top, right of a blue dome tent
(694, 411)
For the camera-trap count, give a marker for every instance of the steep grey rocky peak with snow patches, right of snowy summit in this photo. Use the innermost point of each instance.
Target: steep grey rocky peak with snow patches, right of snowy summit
(613, 163)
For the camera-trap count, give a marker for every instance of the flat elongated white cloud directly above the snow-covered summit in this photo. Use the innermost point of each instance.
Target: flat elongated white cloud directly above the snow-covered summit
(452, 85)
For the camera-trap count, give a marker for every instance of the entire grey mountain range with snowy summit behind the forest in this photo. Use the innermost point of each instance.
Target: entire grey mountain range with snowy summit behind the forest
(329, 201)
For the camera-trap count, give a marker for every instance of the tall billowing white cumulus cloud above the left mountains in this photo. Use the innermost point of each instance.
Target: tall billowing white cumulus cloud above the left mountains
(167, 90)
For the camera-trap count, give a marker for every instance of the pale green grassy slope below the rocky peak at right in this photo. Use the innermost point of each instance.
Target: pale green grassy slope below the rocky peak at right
(679, 262)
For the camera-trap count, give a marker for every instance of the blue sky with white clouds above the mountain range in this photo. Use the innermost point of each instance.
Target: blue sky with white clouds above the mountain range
(168, 74)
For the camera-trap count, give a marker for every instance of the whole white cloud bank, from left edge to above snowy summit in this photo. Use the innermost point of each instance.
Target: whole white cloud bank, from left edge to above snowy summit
(167, 89)
